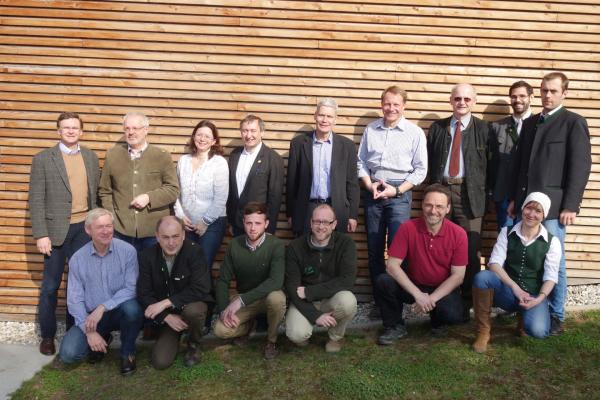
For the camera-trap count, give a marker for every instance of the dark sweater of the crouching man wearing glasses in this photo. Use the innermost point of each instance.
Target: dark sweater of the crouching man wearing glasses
(323, 271)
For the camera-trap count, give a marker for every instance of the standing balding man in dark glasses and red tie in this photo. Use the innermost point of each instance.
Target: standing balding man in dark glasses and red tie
(458, 148)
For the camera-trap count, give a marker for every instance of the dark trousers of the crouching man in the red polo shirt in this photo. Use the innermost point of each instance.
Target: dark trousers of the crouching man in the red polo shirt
(391, 299)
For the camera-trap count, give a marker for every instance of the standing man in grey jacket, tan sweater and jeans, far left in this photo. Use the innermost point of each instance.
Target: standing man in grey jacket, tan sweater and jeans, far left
(62, 188)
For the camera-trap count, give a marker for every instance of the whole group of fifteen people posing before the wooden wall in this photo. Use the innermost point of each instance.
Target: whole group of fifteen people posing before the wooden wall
(141, 235)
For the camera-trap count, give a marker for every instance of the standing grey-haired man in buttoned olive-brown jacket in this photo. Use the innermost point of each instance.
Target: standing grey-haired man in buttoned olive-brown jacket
(138, 184)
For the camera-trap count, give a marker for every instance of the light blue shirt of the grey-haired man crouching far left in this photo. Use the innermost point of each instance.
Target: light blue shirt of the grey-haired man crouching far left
(94, 279)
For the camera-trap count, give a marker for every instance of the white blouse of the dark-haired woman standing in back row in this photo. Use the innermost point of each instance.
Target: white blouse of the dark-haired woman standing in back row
(204, 191)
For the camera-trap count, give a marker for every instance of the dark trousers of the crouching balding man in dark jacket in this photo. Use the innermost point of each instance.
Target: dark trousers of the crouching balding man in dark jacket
(167, 344)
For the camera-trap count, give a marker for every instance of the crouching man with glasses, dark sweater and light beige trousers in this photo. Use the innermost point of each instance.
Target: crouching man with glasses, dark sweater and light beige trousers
(320, 271)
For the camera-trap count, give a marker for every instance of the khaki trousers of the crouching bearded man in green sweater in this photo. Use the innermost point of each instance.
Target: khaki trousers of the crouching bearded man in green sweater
(273, 305)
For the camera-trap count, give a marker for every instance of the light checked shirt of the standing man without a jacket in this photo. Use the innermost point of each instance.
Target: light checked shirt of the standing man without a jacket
(393, 154)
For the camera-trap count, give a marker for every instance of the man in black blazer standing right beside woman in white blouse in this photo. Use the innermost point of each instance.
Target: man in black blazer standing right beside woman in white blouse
(255, 174)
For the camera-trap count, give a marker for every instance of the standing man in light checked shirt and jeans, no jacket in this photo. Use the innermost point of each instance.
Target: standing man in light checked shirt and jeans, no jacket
(392, 159)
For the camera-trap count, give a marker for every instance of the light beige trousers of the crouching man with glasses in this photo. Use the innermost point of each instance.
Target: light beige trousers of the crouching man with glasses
(342, 306)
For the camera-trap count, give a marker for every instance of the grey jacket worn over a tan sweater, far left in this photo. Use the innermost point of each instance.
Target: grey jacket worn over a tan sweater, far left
(50, 192)
